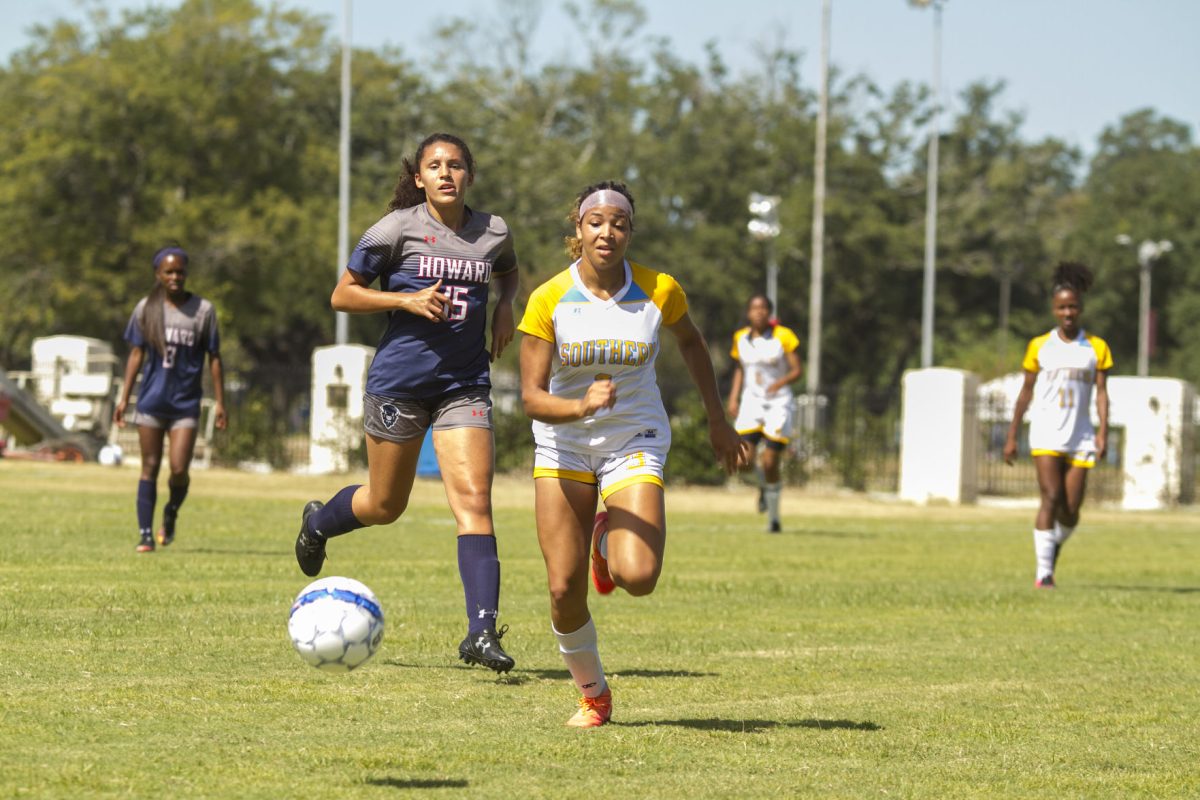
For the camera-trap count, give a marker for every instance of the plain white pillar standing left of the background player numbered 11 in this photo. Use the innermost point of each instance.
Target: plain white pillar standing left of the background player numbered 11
(940, 436)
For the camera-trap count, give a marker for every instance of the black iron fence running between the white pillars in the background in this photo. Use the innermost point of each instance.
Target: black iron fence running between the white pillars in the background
(848, 438)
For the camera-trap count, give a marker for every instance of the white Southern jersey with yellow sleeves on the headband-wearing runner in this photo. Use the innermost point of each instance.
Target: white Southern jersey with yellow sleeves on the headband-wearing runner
(616, 339)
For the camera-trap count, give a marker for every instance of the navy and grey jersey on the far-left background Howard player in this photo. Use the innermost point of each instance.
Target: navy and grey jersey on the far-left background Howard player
(172, 381)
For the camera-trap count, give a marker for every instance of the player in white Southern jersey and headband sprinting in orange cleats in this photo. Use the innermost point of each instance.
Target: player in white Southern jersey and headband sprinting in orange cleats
(589, 382)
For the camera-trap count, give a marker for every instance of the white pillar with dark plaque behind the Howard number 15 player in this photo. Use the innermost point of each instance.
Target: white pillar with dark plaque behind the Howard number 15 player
(335, 426)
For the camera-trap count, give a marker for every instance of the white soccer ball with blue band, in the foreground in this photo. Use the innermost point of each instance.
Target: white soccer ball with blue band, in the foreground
(337, 624)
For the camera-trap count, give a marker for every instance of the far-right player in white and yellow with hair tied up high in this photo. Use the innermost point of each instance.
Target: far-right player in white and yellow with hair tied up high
(1061, 368)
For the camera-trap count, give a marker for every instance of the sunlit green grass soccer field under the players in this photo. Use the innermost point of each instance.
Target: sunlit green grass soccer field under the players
(872, 651)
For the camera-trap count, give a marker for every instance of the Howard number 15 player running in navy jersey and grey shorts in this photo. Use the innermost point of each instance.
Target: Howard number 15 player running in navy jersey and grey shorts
(434, 257)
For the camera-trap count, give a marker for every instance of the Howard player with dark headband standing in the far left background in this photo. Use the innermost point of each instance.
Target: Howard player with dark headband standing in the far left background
(177, 329)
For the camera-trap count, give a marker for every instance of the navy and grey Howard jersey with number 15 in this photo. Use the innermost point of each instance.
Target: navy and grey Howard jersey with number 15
(409, 251)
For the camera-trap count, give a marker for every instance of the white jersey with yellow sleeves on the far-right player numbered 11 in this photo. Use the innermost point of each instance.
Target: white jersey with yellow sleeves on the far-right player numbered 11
(1060, 416)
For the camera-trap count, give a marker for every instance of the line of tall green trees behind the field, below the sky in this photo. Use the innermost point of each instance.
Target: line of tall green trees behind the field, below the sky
(215, 125)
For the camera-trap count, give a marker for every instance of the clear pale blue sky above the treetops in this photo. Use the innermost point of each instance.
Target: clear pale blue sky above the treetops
(1072, 67)
